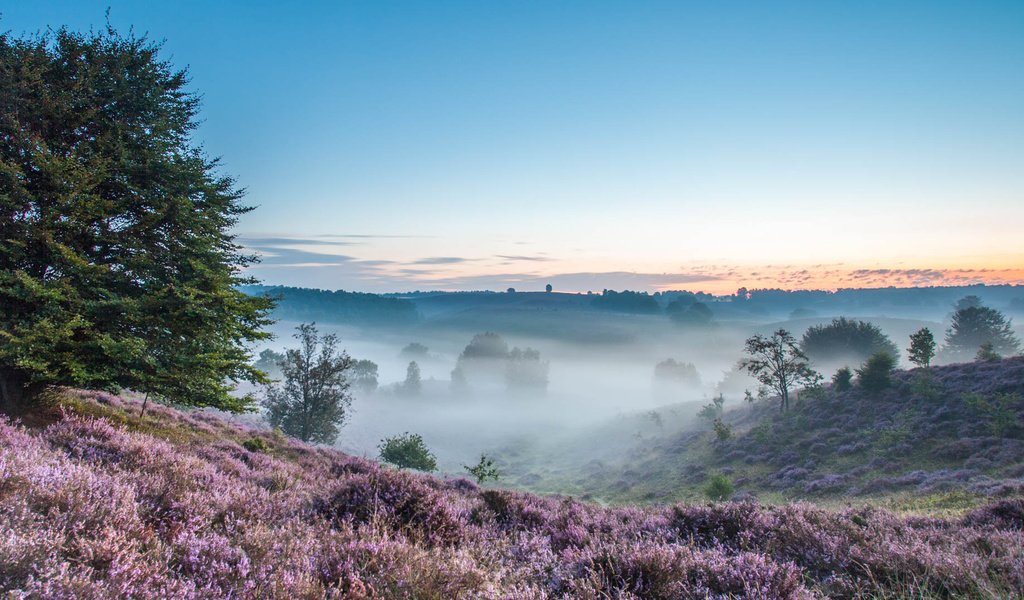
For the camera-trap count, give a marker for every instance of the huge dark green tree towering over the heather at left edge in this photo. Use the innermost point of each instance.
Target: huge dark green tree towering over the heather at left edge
(118, 266)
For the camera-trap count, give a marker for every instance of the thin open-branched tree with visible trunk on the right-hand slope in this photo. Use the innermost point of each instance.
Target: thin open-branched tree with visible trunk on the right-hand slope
(779, 365)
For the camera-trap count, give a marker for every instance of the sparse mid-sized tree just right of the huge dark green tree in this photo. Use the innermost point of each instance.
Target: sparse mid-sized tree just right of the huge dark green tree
(313, 404)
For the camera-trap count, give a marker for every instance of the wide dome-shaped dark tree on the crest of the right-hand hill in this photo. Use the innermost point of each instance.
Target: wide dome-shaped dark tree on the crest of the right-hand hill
(845, 339)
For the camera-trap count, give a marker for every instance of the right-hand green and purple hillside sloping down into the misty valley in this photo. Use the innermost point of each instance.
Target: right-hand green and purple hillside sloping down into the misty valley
(952, 435)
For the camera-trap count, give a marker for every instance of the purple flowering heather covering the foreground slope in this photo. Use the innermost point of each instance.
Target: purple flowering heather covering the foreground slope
(101, 505)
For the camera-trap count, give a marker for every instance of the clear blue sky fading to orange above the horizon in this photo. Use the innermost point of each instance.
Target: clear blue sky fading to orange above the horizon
(649, 146)
